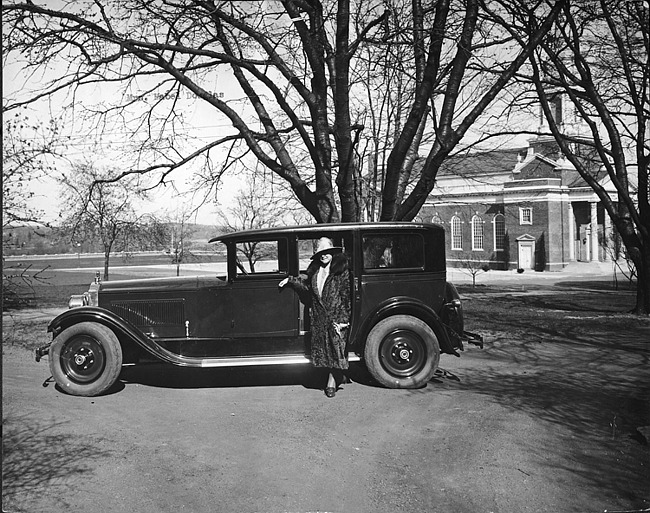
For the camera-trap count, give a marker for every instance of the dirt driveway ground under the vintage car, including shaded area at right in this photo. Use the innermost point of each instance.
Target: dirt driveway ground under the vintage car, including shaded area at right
(548, 417)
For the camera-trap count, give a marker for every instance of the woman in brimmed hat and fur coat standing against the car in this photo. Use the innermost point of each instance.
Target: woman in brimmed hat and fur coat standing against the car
(327, 291)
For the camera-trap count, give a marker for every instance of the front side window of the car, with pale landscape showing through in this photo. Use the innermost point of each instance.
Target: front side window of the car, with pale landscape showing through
(262, 258)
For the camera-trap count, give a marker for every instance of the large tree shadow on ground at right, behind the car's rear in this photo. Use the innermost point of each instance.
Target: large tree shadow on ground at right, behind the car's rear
(584, 372)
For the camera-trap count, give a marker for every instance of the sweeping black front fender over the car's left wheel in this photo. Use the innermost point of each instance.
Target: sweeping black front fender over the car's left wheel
(125, 331)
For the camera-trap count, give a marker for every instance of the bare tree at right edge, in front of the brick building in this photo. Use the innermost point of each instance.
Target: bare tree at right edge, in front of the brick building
(596, 57)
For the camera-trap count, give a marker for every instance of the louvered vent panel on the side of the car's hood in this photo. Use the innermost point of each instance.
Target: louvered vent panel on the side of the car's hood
(162, 312)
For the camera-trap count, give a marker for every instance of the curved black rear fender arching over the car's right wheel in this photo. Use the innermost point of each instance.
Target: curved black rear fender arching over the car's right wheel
(405, 305)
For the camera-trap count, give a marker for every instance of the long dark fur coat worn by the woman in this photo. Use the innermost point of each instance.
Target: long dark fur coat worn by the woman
(328, 348)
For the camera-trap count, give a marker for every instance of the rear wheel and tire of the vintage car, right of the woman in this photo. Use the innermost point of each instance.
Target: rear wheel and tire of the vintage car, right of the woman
(402, 351)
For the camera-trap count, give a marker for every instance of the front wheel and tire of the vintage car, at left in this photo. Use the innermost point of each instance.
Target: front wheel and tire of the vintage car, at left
(85, 359)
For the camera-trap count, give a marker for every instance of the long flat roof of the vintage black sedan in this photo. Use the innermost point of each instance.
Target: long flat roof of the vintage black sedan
(307, 229)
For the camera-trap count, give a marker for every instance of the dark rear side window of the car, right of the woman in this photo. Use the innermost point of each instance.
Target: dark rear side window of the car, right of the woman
(393, 251)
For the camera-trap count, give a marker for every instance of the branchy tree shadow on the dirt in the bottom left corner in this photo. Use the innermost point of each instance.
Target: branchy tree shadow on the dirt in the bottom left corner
(38, 459)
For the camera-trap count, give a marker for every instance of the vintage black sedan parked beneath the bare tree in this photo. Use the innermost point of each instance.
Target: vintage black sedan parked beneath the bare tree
(404, 312)
